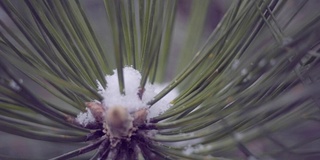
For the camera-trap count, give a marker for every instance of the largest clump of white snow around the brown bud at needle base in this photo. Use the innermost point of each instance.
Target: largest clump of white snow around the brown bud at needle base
(130, 100)
